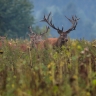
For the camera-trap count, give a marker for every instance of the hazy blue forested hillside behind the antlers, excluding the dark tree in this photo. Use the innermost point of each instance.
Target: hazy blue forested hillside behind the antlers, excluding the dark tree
(83, 9)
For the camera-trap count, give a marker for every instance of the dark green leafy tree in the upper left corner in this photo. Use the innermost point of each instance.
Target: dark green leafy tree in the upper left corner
(15, 17)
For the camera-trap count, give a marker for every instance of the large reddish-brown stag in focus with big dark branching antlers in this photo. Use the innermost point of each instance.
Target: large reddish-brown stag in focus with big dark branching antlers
(63, 34)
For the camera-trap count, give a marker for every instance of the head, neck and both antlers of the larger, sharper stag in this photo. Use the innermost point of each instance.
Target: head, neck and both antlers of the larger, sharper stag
(63, 34)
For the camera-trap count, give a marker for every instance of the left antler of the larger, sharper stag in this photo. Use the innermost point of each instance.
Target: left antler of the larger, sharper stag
(49, 22)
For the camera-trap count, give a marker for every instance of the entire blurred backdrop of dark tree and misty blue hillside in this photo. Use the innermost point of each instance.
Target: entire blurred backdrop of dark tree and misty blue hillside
(17, 15)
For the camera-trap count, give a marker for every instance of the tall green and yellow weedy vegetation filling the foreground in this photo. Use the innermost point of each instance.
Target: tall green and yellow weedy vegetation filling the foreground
(70, 71)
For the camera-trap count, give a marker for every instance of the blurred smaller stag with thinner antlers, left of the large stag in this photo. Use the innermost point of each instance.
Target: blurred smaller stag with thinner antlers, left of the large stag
(37, 39)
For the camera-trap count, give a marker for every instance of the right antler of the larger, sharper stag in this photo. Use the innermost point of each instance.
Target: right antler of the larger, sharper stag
(74, 23)
